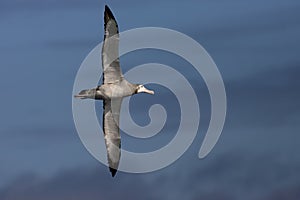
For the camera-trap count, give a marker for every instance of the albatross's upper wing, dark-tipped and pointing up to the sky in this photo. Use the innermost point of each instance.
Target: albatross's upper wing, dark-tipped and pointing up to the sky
(110, 49)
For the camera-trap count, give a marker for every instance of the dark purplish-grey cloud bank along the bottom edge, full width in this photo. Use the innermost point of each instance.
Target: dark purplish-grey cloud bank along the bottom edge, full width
(228, 175)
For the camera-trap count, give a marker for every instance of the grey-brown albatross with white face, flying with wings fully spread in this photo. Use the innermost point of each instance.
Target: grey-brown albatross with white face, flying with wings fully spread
(114, 88)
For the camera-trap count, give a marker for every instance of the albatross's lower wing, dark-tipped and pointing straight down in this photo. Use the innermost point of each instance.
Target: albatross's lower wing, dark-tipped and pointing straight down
(111, 115)
